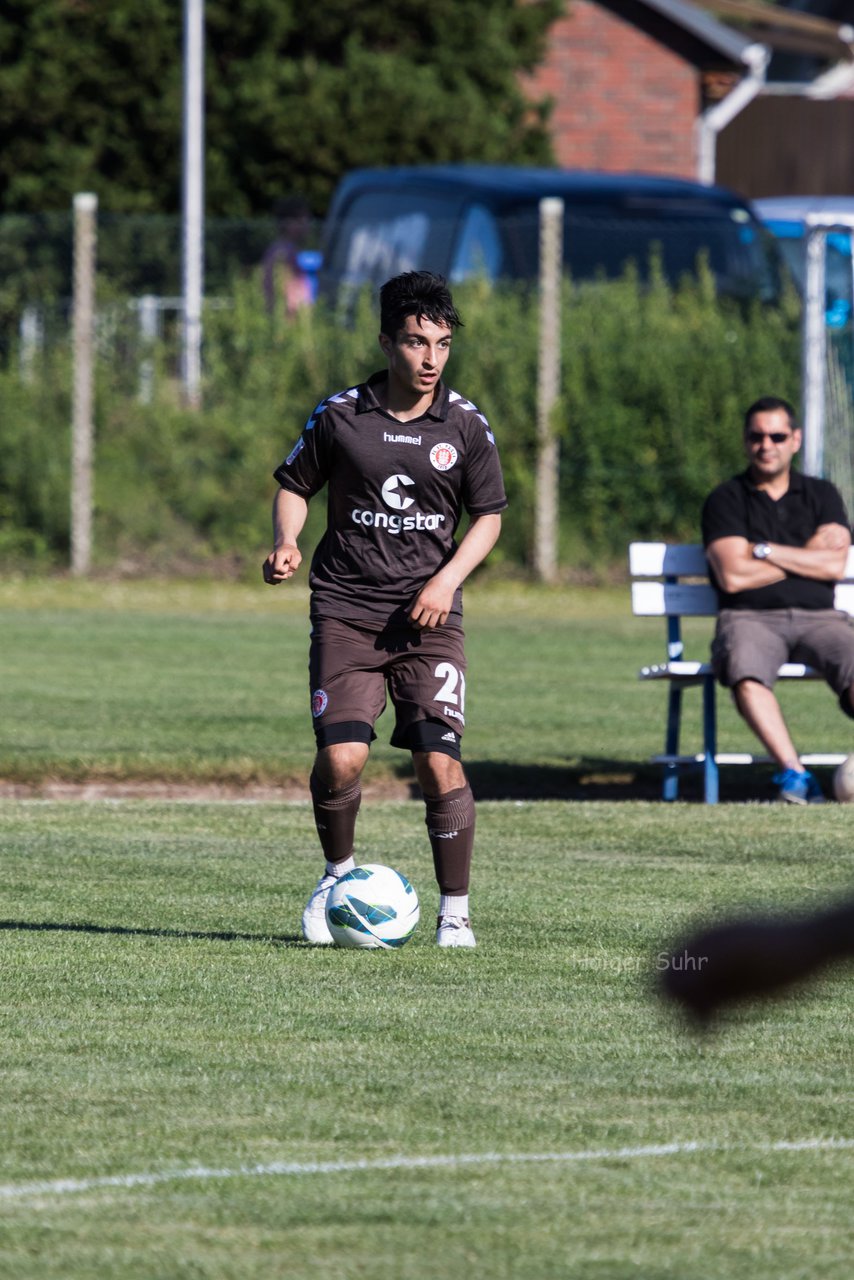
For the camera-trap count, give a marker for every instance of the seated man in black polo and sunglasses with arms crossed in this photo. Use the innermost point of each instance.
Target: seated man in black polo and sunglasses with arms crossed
(778, 543)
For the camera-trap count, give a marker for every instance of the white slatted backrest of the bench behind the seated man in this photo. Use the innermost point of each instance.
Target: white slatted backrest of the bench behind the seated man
(673, 598)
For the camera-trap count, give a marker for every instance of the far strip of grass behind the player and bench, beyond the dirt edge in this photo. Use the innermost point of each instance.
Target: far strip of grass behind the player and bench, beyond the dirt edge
(193, 683)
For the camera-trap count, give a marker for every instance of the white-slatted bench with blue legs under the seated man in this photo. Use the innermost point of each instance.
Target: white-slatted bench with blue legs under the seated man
(672, 583)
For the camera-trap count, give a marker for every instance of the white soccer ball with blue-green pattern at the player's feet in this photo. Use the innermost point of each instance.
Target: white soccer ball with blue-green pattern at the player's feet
(372, 907)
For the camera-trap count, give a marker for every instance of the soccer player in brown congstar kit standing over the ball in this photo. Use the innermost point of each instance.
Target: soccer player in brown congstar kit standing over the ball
(404, 458)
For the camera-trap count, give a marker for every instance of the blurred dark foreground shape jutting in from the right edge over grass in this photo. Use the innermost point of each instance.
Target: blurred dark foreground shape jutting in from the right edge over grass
(753, 957)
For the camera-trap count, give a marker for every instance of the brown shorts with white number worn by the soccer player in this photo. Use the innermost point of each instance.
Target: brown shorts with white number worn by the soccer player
(353, 669)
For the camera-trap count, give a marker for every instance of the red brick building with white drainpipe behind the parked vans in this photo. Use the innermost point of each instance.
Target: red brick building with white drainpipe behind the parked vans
(669, 88)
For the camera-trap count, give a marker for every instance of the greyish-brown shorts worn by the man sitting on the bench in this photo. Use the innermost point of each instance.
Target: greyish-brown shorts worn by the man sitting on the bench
(753, 644)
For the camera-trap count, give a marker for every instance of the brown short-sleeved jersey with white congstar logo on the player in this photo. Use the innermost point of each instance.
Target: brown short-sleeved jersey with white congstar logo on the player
(396, 495)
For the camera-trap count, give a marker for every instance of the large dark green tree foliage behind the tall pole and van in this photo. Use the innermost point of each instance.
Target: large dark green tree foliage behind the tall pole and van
(92, 97)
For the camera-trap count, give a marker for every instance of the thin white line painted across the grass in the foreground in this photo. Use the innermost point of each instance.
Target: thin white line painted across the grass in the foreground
(280, 1169)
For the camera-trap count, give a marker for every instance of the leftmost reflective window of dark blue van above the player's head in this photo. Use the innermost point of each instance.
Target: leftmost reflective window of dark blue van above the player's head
(378, 237)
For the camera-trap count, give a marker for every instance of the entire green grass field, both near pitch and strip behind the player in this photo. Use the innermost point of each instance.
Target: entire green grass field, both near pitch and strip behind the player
(190, 1091)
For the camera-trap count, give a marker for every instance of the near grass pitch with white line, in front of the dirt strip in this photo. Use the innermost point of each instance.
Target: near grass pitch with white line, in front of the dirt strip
(162, 1017)
